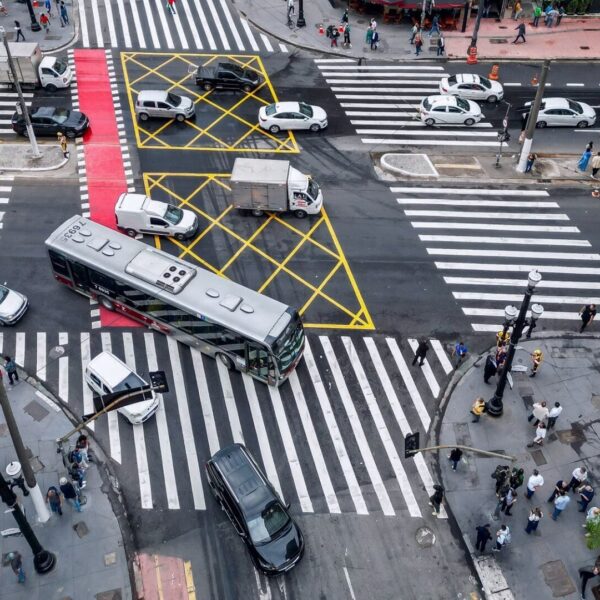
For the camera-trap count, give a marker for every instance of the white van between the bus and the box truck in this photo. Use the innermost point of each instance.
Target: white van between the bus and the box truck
(136, 213)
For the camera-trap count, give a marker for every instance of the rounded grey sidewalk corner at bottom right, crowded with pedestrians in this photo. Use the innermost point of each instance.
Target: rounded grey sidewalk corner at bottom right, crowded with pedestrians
(544, 564)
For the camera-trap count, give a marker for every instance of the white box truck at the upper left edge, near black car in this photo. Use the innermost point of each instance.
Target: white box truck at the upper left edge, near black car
(33, 68)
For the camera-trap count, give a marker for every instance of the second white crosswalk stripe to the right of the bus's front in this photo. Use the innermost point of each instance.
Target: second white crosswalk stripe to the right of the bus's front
(359, 434)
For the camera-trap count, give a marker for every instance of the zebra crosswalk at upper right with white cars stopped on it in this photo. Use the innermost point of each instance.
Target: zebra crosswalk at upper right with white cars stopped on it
(382, 103)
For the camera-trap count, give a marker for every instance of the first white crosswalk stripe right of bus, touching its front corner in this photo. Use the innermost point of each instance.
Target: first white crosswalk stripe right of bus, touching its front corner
(334, 432)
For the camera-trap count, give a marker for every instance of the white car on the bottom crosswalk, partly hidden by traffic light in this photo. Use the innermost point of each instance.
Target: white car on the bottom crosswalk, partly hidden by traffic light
(106, 374)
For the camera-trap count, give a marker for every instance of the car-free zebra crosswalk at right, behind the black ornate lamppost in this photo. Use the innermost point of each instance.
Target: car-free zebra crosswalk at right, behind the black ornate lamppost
(492, 238)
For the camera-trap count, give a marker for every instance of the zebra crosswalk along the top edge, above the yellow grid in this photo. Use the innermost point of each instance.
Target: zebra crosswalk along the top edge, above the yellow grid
(148, 24)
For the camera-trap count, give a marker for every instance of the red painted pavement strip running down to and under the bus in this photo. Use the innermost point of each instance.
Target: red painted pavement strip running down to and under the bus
(103, 159)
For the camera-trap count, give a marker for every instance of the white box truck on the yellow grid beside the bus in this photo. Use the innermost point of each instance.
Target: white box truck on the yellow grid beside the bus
(261, 185)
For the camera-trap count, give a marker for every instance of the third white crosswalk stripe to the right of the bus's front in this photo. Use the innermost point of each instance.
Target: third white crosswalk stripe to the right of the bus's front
(384, 434)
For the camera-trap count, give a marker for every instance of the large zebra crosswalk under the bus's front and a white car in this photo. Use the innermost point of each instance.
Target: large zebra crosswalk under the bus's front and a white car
(330, 439)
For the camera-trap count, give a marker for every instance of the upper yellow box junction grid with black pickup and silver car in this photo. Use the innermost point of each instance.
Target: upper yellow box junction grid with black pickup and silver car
(174, 72)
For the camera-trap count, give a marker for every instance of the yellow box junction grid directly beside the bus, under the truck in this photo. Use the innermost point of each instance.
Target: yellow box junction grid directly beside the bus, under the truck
(216, 218)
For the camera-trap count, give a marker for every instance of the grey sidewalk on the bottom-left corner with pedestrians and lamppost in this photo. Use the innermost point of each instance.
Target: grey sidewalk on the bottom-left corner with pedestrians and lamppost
(91, 559)
